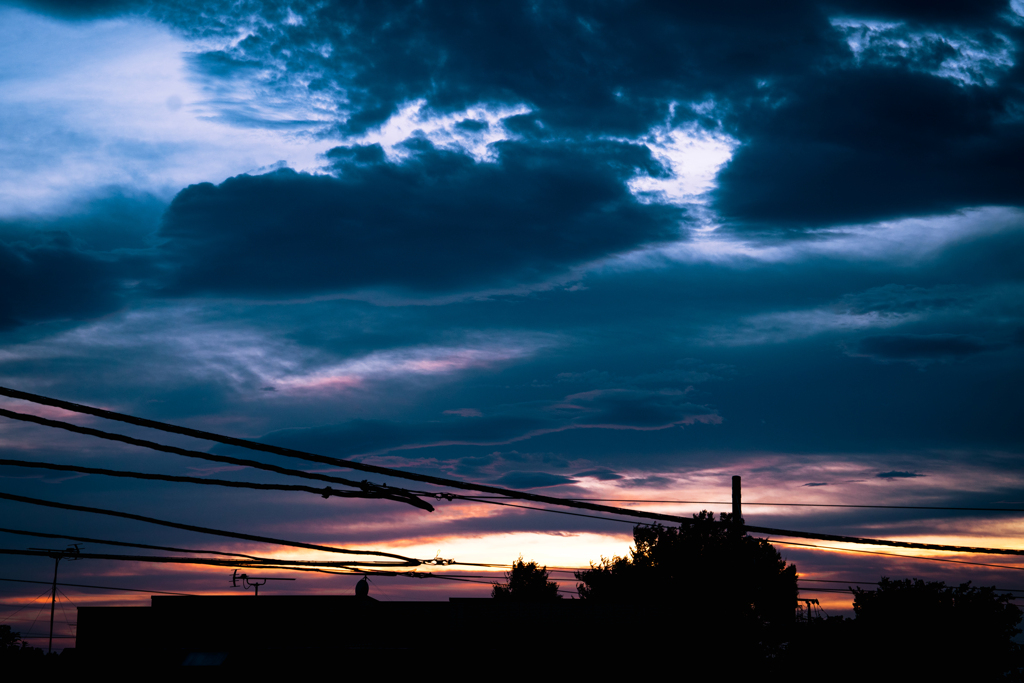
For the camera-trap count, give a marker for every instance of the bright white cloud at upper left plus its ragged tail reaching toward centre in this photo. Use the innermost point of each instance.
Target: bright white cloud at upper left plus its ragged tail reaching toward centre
(129, 104)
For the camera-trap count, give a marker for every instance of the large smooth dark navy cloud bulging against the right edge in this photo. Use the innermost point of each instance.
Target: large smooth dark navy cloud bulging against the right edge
(874, 144)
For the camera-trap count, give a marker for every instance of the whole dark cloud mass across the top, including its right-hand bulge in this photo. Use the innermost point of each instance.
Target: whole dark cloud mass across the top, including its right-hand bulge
(828, 137)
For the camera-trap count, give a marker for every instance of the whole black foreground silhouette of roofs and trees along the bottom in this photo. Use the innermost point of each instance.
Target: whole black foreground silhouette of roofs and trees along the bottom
(698, 601)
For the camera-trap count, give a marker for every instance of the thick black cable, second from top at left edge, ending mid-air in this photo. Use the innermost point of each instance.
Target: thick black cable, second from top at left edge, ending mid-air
(368, 490)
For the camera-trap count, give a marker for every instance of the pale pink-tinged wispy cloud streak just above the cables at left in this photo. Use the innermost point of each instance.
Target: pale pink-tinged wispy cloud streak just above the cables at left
(202, 350)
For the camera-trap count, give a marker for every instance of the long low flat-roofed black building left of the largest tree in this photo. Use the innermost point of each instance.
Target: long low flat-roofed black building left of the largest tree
(359, 631)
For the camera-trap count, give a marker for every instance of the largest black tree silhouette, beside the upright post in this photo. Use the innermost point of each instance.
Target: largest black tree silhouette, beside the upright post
(711, 574)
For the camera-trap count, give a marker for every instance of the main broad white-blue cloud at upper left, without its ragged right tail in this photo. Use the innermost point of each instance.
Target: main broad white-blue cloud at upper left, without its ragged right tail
(88, 106)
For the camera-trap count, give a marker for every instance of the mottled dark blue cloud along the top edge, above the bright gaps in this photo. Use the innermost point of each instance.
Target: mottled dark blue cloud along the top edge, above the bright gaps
(607, 67)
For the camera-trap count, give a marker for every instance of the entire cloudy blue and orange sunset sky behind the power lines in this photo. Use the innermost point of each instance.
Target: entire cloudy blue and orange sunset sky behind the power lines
(619, 249)
